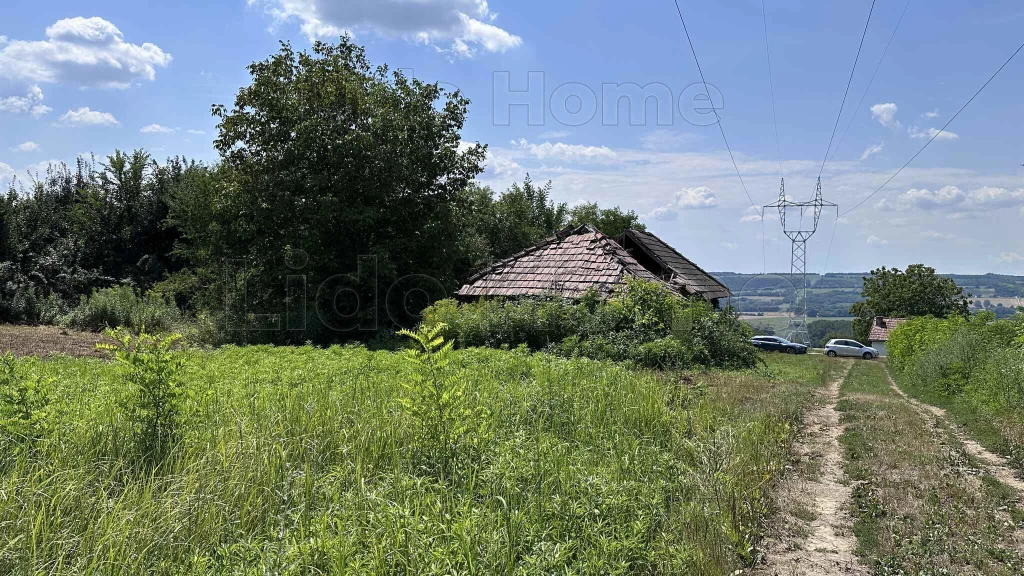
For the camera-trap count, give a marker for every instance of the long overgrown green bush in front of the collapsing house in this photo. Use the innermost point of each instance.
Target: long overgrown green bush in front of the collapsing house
(643, 324)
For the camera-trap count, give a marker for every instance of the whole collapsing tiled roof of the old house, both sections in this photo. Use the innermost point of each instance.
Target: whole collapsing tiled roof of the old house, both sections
(574, 262)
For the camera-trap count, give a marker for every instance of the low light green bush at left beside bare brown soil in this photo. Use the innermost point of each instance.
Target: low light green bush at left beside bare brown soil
(123, 307)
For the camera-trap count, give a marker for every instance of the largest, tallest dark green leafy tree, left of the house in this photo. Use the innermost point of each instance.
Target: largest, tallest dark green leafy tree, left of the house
(326, 162)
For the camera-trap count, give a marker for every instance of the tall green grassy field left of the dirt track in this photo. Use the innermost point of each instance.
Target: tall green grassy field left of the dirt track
(316, 462)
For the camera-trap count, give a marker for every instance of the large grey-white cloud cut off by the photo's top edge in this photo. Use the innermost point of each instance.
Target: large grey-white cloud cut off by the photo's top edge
(466, 24)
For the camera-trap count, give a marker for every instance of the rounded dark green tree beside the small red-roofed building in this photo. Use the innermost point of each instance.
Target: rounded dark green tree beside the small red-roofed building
(919, 292)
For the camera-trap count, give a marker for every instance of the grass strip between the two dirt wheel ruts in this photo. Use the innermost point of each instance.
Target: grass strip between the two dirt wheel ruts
(922, 505)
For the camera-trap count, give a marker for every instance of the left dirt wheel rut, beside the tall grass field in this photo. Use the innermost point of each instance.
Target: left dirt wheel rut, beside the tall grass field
(818, 540)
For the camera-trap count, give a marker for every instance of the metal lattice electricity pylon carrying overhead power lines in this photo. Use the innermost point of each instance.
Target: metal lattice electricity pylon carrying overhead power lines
(799, 234)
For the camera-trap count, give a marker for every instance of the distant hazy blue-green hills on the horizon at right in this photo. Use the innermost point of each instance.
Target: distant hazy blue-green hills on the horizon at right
(832, 296)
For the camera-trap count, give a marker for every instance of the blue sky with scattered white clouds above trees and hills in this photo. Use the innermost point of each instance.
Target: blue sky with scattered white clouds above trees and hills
(130, 75)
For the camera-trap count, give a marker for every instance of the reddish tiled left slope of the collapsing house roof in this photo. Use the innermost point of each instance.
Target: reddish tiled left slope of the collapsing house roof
(567, 265)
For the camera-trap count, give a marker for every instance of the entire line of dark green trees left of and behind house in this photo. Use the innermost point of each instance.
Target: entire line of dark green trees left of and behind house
(348, 176)
